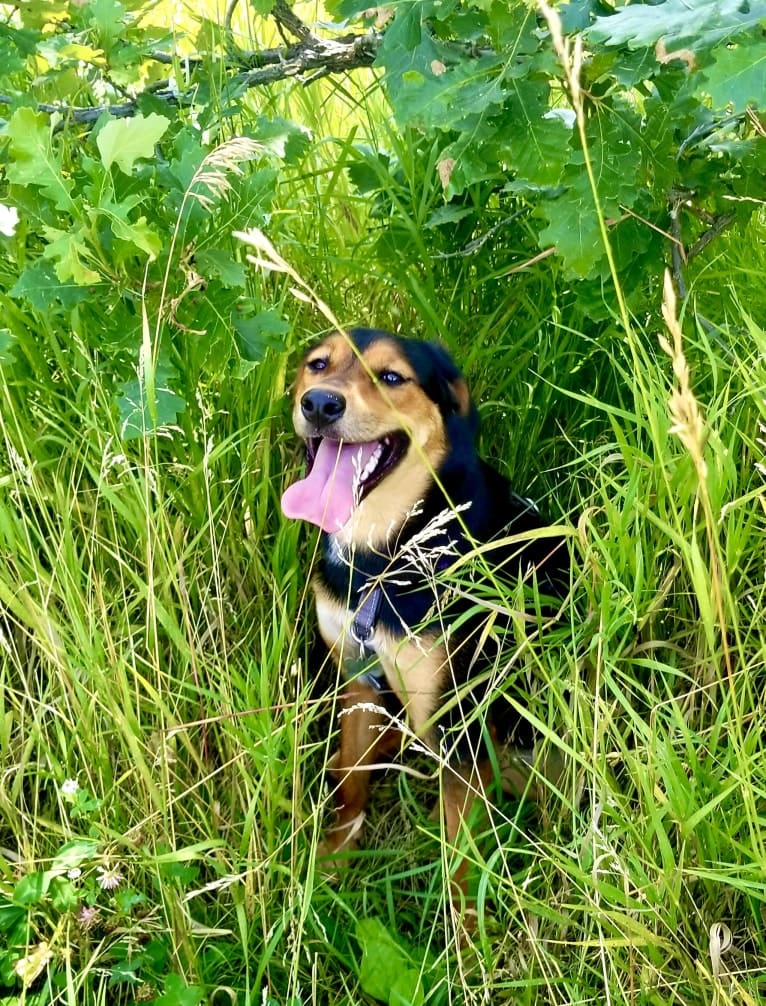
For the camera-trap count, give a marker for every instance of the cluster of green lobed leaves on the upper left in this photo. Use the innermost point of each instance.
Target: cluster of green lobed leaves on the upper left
(132, 219)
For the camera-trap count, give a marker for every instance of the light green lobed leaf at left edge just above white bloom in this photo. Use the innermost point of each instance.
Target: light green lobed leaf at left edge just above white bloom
(33, 159)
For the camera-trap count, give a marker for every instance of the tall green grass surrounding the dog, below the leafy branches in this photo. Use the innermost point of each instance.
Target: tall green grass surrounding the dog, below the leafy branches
(167, 718)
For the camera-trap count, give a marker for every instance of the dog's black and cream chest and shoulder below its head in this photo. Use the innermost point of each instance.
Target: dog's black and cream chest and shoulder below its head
(412, 645)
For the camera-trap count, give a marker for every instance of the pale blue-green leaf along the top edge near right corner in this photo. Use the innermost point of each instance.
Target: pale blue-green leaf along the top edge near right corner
(699, 25)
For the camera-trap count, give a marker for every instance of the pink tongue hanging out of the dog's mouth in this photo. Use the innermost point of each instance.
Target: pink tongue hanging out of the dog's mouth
(327, 496)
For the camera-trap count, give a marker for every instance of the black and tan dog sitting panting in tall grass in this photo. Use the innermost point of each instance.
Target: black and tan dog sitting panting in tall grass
(396, 485)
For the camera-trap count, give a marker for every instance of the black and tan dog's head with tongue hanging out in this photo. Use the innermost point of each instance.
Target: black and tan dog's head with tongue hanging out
(380, 416)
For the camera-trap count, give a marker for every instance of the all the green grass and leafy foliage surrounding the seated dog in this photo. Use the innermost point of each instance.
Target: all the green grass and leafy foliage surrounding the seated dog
(166, 722)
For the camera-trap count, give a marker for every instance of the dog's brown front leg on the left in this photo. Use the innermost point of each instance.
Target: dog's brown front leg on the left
(365, 734)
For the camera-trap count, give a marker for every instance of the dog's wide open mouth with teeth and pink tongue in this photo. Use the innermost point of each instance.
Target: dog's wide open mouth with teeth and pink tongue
(340, 474)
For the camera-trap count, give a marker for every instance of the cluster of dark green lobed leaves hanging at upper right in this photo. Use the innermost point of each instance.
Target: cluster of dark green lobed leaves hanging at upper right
(482, 80)
